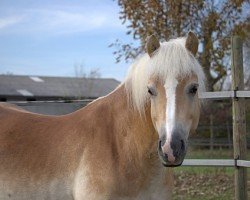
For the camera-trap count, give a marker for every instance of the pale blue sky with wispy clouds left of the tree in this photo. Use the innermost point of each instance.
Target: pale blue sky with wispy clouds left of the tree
(53, 37)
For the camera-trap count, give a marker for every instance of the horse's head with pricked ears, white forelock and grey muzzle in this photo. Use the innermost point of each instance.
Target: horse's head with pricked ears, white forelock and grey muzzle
(175, 107)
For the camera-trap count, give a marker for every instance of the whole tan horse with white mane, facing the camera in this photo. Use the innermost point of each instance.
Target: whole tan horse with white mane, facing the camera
(108, 149)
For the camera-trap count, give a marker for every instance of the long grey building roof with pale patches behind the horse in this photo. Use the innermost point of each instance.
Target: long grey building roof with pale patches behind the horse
(14, 87)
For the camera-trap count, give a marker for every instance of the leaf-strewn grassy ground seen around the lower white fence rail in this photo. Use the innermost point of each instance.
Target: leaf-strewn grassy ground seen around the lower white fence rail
(206, 183)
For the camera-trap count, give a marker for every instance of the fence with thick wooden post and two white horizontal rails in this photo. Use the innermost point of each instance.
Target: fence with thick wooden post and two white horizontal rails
(239, 123)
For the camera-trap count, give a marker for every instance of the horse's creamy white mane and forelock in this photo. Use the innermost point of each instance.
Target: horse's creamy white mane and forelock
(171, 60)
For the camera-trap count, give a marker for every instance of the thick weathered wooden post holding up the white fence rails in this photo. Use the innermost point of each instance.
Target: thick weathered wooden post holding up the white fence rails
(239, 118)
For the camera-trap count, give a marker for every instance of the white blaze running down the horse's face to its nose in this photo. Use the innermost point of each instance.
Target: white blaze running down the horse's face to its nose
(170, 88)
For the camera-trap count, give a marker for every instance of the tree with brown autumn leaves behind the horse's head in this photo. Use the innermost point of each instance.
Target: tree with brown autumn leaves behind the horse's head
(213, 22)
